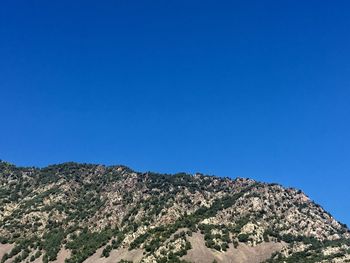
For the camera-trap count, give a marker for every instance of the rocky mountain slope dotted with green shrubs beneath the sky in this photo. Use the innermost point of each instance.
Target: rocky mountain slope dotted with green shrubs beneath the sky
(93, 213)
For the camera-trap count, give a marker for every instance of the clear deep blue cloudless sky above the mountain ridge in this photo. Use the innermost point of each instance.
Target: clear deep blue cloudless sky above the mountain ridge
(257, 89)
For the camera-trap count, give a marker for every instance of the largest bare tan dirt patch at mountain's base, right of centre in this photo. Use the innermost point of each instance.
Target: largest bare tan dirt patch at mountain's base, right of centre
(242, 254)
